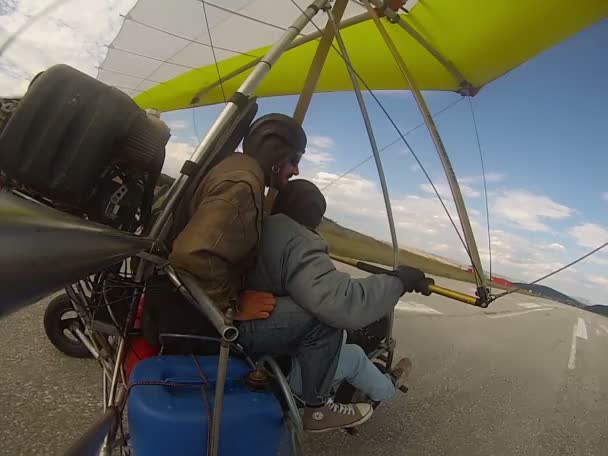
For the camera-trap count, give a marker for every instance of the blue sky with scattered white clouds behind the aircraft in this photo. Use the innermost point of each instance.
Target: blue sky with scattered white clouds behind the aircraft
(542, 129)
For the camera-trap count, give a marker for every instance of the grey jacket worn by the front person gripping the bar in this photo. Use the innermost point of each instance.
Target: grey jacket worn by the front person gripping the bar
(293, 262)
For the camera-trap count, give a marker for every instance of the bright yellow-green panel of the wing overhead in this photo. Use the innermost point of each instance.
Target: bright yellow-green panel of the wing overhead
(483, 39)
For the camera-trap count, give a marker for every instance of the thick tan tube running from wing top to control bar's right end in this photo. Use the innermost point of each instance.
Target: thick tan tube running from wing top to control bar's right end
(461, 209)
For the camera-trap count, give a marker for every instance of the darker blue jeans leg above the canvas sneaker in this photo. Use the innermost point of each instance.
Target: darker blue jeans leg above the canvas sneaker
(291, 330)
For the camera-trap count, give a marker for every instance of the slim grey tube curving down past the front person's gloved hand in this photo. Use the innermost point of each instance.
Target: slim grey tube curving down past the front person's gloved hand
(374, 146)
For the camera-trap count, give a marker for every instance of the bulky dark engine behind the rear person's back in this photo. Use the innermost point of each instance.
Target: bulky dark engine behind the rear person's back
(88, 149)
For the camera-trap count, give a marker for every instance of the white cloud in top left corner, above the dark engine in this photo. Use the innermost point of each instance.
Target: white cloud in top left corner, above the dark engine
(70, 34)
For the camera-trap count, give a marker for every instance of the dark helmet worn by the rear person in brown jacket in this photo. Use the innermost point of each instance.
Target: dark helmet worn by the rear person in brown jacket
(276, 124)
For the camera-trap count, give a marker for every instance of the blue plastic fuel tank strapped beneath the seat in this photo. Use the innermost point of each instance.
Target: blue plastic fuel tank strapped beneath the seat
(172, 419)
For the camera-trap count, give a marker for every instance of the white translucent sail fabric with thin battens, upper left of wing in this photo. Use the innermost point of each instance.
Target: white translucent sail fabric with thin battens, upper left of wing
(162, 39)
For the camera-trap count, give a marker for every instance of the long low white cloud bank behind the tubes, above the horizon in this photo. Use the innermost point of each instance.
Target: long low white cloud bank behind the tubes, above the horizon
(423, 225)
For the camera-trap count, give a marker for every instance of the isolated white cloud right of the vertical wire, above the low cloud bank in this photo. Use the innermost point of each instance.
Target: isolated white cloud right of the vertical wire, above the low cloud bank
(529, 211)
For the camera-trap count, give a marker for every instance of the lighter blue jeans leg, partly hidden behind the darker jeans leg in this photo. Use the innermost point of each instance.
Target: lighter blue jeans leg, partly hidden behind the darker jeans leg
(356, 368)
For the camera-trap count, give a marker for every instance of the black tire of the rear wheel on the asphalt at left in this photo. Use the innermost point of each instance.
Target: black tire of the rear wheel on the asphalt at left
(56, 328)
